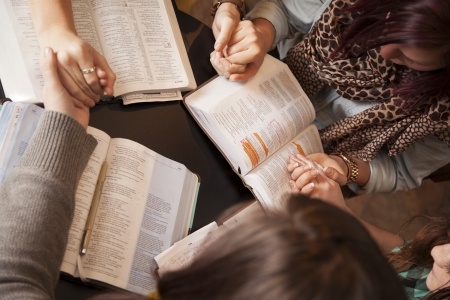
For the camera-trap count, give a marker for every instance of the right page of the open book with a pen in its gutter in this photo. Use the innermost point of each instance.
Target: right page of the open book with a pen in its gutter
(136, 217)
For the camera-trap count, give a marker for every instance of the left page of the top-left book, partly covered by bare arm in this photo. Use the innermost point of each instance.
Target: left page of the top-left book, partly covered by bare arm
(20, 51)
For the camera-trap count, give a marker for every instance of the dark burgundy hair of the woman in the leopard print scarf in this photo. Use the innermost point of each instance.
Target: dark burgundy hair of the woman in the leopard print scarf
(417, 23)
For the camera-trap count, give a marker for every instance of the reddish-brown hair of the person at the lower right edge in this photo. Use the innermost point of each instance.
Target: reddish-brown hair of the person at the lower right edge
(417, 251)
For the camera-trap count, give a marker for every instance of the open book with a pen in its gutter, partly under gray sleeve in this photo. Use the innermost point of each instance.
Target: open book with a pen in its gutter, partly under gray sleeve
(146, 204)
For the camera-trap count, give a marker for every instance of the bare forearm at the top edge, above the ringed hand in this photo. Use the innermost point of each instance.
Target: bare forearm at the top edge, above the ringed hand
(52, 15)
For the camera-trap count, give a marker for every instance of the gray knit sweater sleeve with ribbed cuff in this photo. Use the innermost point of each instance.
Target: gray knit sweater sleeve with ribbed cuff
(37, 203)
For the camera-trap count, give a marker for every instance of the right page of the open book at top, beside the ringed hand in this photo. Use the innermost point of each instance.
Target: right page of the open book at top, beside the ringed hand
(140, 46)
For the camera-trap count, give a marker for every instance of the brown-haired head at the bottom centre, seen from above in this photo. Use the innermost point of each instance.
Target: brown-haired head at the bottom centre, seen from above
(311, 250)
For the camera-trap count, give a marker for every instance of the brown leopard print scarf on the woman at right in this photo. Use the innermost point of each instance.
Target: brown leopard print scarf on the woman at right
(366, 77)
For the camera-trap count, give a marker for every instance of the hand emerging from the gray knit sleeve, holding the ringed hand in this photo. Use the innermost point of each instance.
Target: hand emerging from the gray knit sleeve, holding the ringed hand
(56, 97)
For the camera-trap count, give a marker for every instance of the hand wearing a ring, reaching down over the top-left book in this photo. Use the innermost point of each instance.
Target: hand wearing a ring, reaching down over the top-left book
(75, 55)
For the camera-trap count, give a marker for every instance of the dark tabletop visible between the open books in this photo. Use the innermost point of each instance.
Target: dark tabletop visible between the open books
(168, 129)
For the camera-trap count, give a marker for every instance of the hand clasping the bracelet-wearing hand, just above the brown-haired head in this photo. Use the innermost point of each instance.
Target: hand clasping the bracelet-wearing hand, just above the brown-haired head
(308, 178)
